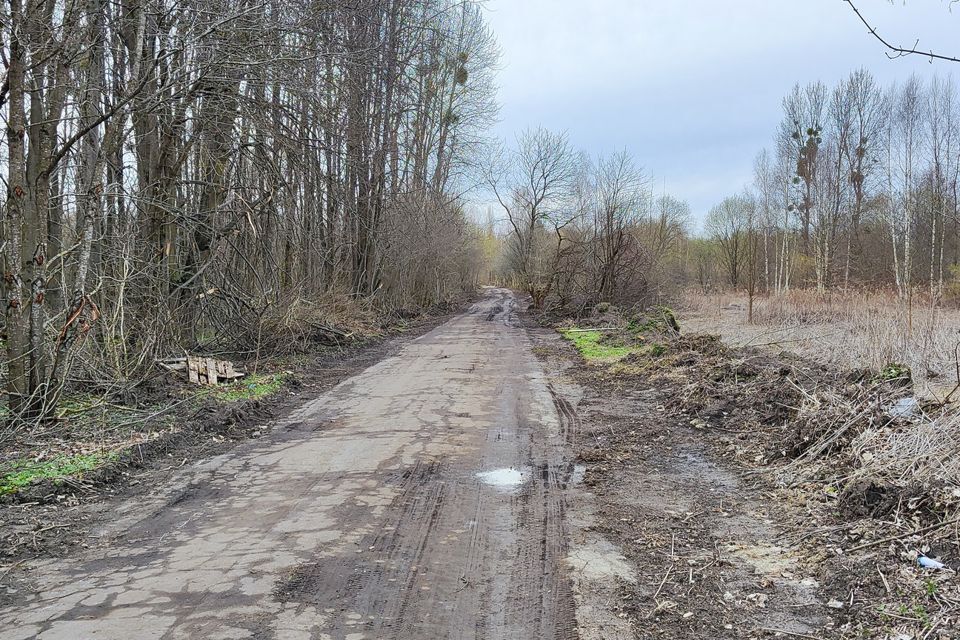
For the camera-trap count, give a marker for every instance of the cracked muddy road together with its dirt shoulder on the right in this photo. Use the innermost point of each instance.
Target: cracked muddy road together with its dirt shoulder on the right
(459, 488)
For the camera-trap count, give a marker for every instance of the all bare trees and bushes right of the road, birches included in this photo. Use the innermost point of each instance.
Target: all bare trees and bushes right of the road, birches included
(858, 190)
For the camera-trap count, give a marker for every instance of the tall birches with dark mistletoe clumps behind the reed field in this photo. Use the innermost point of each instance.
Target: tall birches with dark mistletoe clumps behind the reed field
(859, 189)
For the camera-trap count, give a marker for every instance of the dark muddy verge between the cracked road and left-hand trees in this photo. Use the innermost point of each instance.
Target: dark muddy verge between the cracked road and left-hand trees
(51, 519)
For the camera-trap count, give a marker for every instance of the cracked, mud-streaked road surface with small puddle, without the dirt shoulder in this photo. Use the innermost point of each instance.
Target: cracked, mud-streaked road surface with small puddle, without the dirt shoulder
(424, 498)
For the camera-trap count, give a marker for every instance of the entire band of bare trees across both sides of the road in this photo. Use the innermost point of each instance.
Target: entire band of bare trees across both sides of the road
(211, 176)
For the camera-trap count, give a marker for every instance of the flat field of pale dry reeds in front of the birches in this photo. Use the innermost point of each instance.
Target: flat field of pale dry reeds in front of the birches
(850, 331)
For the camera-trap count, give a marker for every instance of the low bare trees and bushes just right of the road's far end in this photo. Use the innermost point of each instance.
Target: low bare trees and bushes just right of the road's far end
(579, 232)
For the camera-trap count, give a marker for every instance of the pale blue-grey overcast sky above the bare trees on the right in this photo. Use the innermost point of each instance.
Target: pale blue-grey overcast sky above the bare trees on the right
(692, 88)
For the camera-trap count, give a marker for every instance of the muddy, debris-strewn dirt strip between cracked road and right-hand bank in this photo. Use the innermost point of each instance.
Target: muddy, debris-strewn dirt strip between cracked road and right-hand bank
(668, 541)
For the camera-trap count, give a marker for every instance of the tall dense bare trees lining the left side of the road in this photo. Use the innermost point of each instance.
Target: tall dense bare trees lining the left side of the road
(188, 174)
